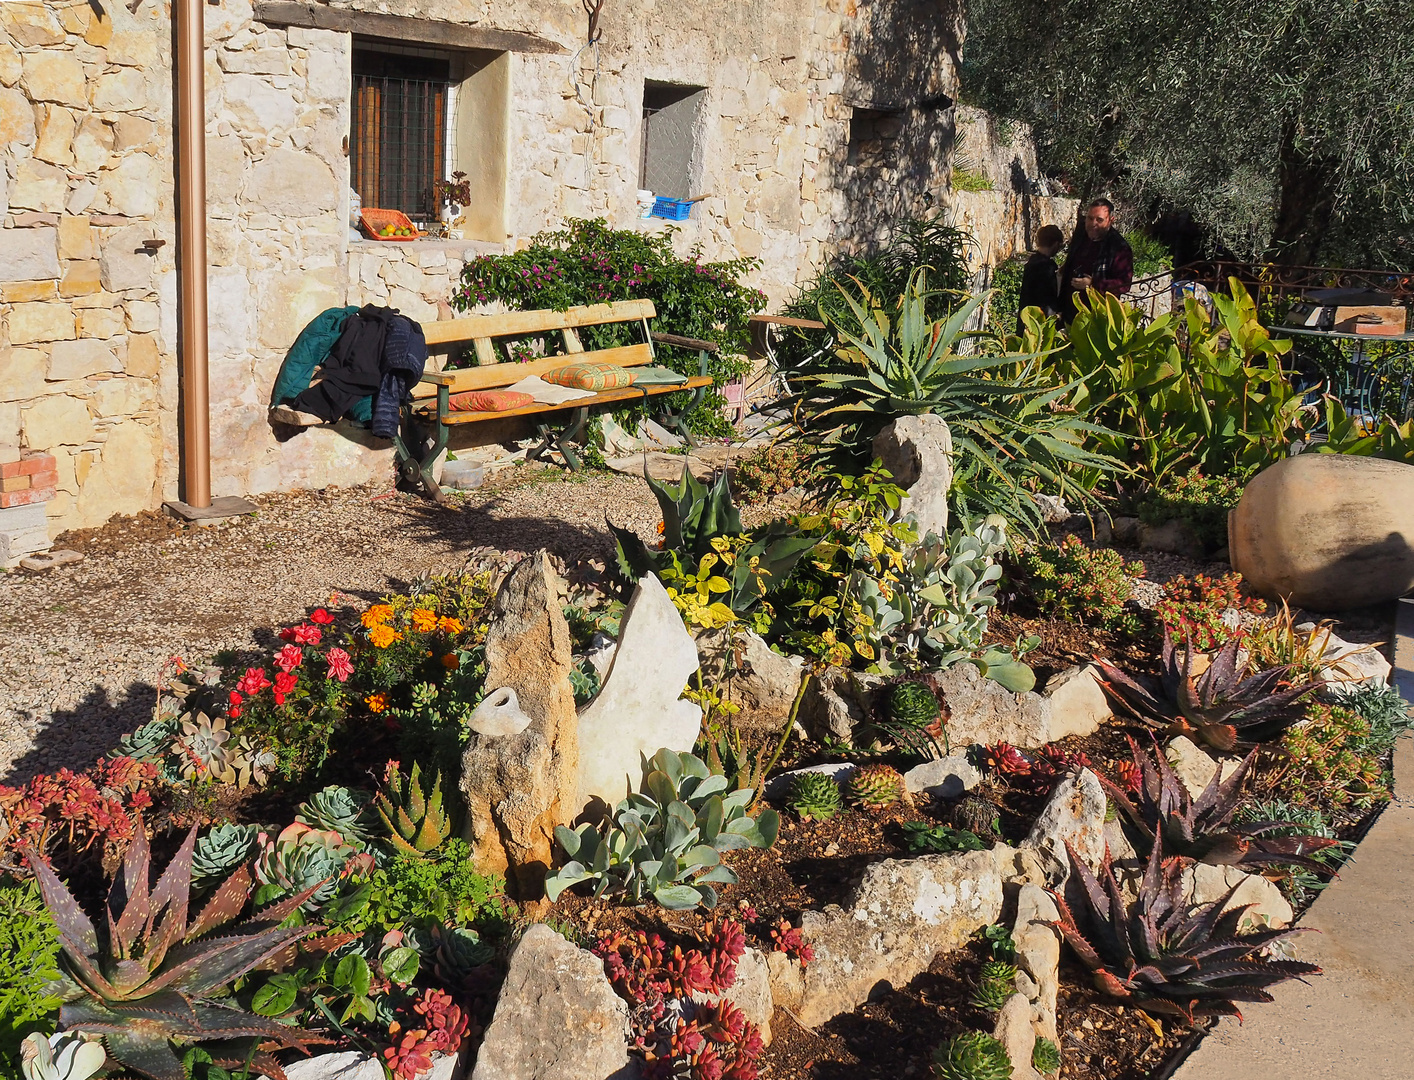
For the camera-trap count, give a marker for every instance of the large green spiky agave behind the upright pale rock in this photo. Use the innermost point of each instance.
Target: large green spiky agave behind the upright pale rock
(1007, 435)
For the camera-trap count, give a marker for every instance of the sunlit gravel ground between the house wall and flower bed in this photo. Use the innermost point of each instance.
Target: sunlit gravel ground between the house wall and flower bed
(83, 647)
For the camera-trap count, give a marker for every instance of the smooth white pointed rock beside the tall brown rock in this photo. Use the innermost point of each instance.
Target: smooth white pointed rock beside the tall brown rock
(640, 710)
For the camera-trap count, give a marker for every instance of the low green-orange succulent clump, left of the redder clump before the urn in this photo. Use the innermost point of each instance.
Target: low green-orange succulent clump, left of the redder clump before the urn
(1084, 585)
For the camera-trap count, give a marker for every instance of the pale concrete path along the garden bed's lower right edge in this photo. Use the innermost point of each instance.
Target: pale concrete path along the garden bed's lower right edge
(1357, 1021)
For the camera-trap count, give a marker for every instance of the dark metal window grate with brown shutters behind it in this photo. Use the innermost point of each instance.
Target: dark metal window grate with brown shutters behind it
(399, 139)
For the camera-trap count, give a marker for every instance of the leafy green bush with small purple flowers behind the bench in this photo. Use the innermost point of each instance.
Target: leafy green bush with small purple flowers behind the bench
(590, 264)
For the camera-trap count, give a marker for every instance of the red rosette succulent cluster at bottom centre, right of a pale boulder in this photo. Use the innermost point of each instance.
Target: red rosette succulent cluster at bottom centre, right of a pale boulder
(677, 1037)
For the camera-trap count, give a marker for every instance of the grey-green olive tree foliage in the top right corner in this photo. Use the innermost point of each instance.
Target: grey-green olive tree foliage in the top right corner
(1285, 127)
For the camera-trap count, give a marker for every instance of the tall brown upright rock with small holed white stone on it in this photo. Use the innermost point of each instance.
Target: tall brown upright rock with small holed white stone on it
(520, 788)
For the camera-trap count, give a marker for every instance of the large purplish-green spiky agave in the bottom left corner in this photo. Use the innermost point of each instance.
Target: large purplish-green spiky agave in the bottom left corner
(151, 978)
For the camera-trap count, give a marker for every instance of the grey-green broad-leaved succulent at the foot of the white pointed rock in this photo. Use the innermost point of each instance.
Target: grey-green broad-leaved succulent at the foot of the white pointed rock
(667, 840)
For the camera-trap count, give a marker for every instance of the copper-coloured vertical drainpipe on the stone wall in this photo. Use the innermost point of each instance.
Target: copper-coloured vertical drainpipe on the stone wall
(192, 252)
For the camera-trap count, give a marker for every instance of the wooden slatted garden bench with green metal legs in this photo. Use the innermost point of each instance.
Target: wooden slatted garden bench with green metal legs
(428, 419)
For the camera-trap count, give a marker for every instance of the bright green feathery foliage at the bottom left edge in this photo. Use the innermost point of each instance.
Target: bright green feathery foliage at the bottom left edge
(29, 959)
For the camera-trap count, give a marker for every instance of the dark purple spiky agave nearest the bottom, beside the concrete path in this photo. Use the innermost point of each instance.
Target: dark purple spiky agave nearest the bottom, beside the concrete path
(1163, 958)
